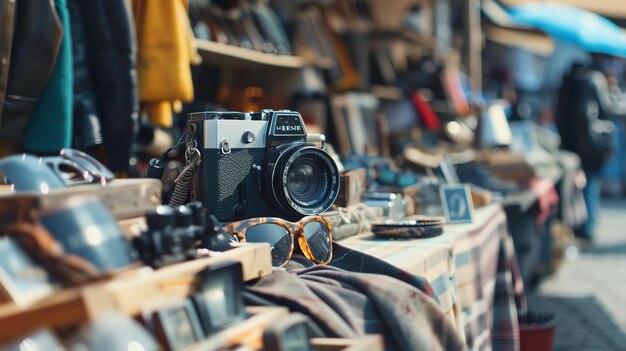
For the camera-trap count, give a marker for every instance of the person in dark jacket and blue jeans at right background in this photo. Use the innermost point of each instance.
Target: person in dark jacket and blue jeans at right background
(586, 102)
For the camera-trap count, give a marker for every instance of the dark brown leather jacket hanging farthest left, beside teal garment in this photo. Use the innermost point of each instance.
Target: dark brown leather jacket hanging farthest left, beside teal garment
(30, 53)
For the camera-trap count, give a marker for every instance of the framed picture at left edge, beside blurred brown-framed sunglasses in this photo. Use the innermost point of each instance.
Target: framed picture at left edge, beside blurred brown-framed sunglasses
(21, 280)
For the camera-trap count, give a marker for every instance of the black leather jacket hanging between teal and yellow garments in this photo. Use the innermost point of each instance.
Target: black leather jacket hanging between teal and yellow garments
(112, 53)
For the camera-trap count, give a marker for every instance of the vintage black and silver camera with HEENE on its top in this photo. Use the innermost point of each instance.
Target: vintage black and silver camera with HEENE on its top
(260, 164)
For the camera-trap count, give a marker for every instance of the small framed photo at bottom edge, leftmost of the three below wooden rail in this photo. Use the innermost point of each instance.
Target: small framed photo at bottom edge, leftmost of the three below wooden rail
(177, 325)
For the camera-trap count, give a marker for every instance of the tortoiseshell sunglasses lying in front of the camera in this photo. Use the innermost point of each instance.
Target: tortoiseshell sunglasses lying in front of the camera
(313, 232)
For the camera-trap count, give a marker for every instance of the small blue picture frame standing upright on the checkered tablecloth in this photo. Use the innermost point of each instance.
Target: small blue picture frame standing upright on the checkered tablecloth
(457, 203)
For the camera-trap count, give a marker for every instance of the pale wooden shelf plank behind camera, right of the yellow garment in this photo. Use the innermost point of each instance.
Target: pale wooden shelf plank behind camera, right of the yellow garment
(230, 55)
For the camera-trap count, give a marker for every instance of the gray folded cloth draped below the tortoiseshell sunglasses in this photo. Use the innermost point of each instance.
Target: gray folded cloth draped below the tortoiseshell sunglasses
(349, 304)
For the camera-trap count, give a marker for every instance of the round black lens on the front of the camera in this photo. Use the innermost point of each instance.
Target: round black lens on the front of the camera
(301, 180)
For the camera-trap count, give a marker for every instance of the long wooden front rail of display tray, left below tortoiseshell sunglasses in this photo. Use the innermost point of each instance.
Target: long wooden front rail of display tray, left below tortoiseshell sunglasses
(126, 294)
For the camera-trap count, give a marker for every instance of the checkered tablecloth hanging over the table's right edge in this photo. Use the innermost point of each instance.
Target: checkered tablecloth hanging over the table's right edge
(473, 271)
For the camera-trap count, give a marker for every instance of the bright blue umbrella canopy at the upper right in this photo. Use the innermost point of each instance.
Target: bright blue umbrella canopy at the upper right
(591, 32)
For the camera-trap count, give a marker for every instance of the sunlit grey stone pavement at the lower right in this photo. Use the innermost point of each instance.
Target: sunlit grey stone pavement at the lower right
(589, 292)
